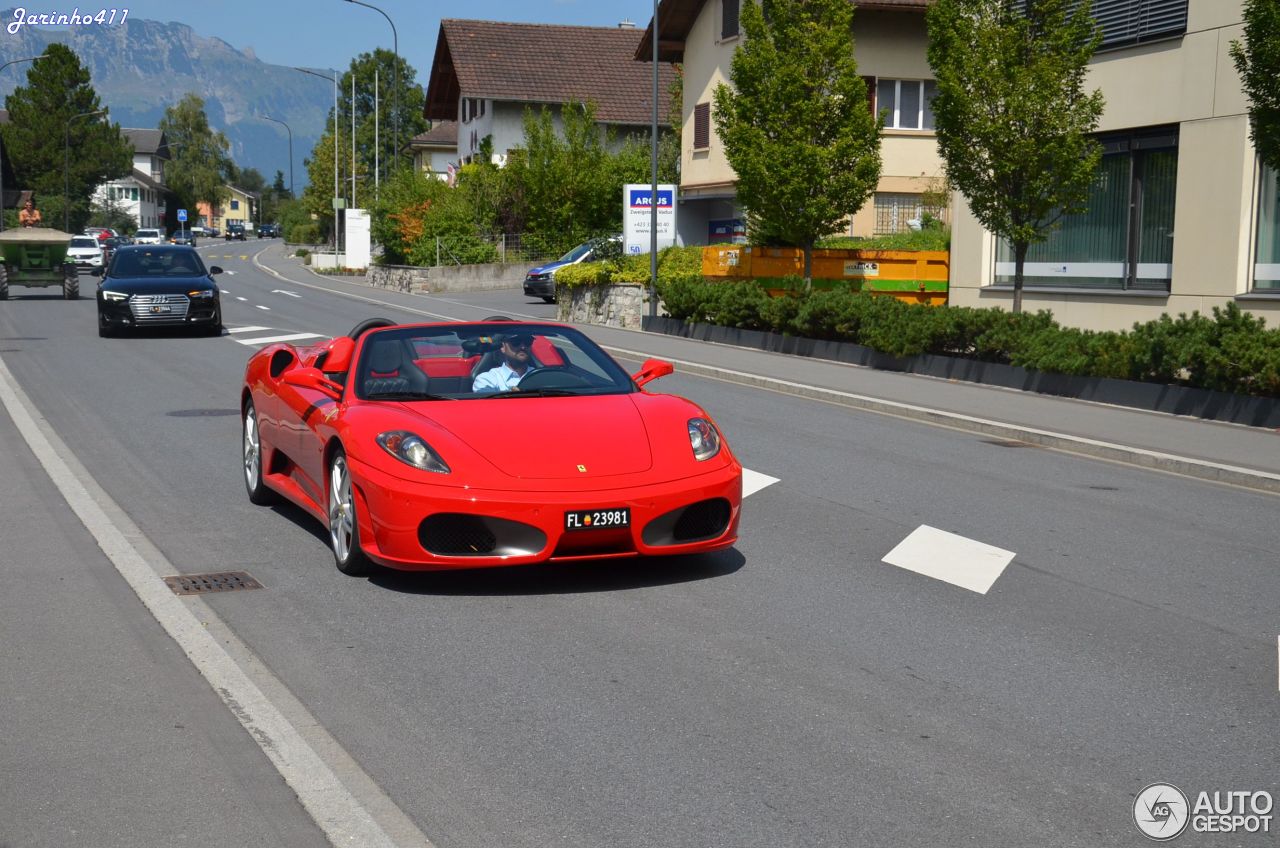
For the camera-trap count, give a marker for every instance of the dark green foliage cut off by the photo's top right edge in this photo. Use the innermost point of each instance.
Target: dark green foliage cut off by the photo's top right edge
(1258, 61)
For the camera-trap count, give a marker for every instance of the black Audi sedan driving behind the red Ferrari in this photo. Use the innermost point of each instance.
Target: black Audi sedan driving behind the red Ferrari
(158, 286)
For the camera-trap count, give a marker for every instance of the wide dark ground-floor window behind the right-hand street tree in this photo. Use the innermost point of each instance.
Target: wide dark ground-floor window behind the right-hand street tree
(1126, 239)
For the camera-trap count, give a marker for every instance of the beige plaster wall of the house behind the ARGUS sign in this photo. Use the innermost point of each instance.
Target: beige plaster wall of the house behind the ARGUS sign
(889, 45)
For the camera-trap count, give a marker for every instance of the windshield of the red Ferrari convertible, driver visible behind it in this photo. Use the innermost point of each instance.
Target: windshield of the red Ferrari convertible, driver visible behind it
(484, 363)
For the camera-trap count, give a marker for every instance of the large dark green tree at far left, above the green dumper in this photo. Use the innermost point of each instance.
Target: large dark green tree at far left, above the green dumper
(43, 116)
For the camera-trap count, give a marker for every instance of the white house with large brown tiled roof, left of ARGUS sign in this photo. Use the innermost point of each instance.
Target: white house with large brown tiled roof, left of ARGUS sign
(487, 74)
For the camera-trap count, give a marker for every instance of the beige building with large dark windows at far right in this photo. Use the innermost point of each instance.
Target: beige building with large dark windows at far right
(1183, 217)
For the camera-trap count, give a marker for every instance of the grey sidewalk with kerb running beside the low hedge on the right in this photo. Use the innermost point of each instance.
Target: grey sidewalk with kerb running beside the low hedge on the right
(1210, 450)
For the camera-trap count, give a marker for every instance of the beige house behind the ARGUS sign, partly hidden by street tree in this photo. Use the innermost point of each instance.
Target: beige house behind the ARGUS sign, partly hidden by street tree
(890, 47)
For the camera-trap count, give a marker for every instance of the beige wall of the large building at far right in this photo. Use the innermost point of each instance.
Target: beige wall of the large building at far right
(1188, 83)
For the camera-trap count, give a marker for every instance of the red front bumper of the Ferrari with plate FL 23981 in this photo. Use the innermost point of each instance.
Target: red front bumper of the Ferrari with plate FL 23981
(424, 528)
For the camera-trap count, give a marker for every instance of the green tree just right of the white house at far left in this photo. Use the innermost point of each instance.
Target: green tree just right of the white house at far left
(202, 167)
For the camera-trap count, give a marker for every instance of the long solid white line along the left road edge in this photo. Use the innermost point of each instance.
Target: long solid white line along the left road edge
(344, 819)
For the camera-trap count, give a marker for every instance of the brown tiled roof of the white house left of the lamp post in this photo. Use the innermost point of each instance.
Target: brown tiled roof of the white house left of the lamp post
(546, 65)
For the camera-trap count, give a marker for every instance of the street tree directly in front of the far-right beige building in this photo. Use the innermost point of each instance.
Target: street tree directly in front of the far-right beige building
(1013, 120)
